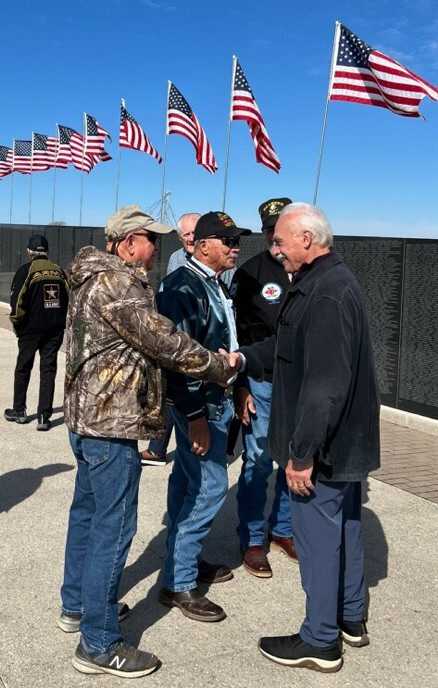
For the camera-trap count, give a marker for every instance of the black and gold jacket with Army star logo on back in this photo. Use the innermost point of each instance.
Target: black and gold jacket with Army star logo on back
(39, 297)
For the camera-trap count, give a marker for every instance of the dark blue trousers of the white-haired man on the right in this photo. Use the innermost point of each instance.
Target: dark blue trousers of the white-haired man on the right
(328, 538)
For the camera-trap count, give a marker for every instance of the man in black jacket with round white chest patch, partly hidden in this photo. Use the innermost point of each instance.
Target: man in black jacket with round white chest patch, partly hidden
(258, 288)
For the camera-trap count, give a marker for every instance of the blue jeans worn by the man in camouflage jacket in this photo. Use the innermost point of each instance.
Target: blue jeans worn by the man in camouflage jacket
(102, 523)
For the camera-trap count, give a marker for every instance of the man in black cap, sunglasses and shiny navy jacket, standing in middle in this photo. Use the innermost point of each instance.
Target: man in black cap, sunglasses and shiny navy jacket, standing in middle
(195, 299)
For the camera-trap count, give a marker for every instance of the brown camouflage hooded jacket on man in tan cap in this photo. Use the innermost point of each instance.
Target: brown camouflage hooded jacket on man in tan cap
(116, 346)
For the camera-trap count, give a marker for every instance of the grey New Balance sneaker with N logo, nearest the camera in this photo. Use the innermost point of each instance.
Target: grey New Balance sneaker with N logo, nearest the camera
(121, 660)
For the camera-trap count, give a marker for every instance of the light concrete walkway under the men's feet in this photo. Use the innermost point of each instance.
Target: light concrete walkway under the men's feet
(36, 483)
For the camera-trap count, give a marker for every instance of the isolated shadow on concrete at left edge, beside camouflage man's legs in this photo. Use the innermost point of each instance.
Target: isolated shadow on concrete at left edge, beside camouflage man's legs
(18, 485)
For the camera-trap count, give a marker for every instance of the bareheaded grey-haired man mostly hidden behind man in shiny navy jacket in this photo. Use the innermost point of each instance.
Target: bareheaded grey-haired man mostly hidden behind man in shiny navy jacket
(156, 453)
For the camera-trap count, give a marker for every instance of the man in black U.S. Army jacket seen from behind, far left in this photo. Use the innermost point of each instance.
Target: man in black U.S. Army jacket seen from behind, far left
(39, 299)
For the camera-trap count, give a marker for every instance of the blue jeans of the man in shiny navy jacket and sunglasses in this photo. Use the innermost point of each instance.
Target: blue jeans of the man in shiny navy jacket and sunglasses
(197, 489)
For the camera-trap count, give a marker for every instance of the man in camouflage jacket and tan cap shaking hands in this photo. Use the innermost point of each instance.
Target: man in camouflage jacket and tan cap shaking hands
(114, 395)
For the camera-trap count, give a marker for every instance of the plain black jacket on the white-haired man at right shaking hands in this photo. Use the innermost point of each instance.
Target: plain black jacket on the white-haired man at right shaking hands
(324, 400)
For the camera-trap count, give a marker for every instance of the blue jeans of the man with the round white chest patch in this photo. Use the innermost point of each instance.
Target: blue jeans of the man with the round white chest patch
(257, 466)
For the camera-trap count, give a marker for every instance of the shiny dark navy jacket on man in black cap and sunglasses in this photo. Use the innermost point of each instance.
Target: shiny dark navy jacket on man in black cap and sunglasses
(191, 299)
